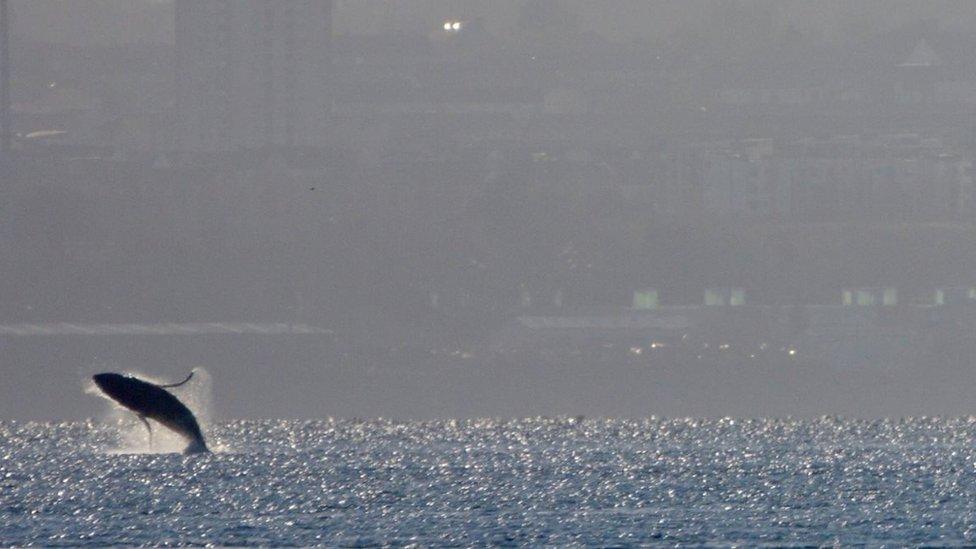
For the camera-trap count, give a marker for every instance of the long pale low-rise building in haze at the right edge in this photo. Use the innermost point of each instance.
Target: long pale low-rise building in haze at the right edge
(890, 178)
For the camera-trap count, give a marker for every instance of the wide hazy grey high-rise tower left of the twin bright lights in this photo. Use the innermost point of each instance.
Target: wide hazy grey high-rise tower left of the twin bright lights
(252, 74)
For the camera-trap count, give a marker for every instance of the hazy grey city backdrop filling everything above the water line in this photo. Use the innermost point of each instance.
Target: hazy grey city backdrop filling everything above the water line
(446, 209)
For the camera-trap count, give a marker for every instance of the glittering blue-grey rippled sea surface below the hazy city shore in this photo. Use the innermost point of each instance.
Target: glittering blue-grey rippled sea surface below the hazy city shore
(536, 481)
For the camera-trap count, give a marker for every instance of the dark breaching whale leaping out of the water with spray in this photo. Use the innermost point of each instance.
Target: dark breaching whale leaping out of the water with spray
(151, 401)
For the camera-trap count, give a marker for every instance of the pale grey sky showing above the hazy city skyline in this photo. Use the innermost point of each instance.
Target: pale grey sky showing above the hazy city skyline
(133, 21)
